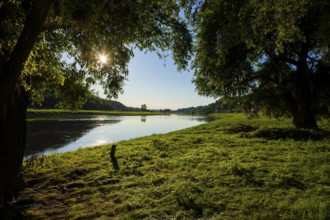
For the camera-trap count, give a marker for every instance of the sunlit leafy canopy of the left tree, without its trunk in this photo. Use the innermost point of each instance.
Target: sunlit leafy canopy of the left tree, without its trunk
(65, 54)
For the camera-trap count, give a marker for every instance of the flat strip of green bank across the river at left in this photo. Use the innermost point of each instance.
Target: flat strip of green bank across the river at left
(54, 114)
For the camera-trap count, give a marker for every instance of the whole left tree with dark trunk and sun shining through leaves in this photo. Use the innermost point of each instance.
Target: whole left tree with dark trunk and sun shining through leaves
(35, 35)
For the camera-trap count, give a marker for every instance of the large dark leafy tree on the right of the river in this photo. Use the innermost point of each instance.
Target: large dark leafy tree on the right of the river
(271, 56)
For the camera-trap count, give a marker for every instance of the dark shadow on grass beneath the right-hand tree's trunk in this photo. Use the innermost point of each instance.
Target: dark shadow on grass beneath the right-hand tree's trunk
(294, 134)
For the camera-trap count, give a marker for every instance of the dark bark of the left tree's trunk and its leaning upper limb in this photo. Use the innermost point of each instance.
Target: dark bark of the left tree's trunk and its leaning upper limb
(13, 101)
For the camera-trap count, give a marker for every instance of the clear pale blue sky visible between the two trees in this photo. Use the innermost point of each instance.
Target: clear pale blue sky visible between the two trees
(158, 84)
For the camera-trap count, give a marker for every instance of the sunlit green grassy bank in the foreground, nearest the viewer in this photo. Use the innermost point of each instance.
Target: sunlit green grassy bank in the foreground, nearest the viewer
(231, 168)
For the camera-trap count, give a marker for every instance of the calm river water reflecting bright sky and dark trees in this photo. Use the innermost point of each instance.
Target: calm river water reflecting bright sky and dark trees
(49, 136)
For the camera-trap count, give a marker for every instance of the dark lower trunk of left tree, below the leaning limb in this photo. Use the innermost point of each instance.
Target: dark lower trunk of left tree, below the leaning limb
(12, 136)
